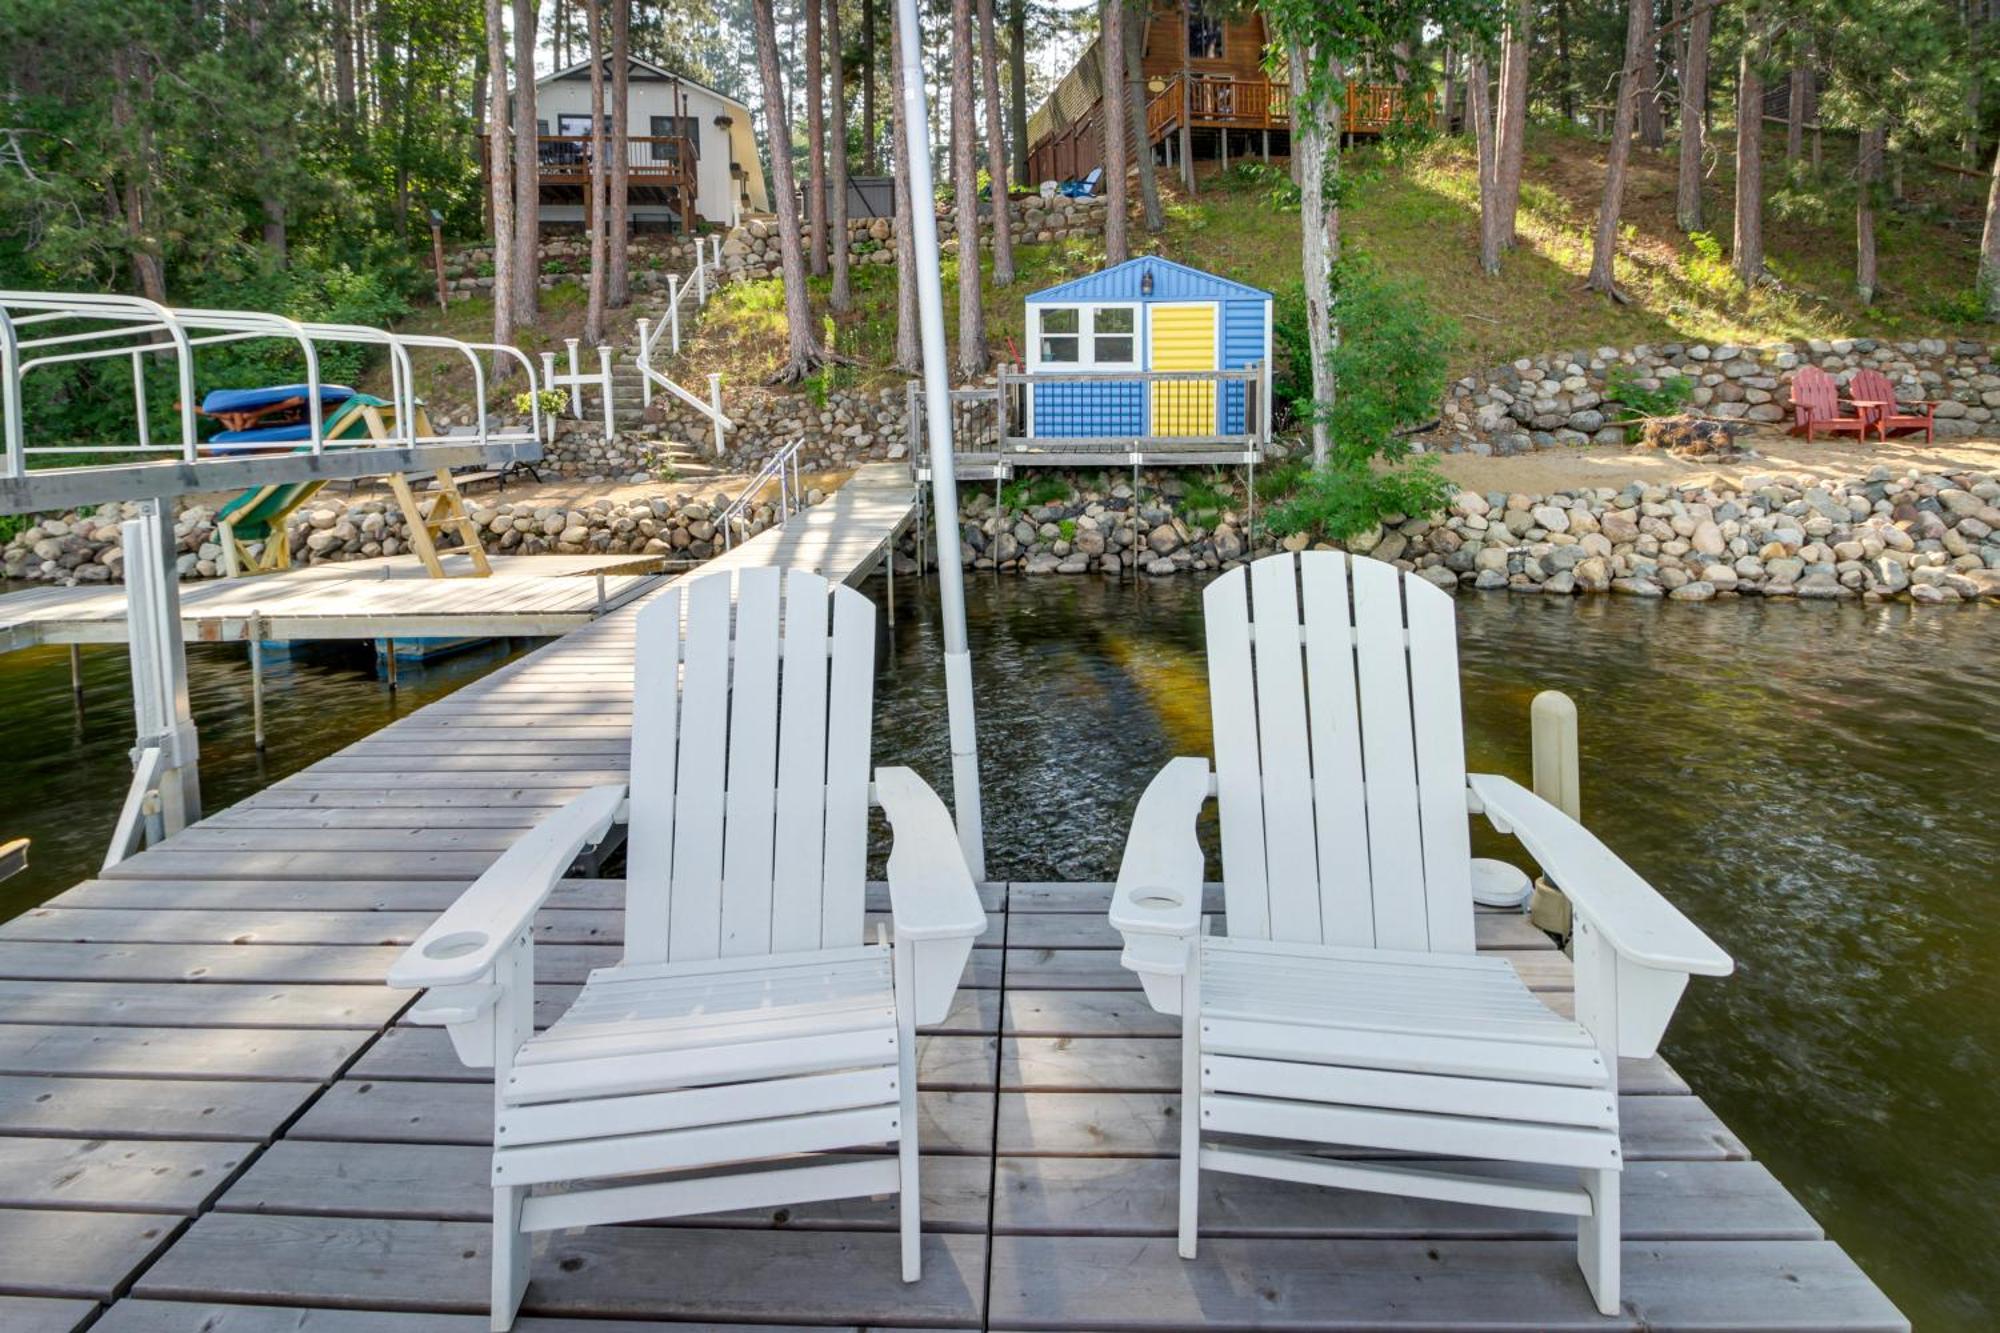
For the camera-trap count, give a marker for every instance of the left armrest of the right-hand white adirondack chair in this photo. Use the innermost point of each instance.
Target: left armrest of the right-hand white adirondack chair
(1157, 904)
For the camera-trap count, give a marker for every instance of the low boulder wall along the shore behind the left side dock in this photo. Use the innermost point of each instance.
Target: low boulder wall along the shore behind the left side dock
(89, 547)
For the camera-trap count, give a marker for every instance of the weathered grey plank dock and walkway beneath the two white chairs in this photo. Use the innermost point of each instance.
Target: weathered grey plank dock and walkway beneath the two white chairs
(213, 1116)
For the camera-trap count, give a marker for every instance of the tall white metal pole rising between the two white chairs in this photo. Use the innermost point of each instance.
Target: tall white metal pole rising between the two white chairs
(939, 417)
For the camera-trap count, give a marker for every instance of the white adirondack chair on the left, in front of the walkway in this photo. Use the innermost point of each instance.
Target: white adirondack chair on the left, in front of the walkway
(751, 1018)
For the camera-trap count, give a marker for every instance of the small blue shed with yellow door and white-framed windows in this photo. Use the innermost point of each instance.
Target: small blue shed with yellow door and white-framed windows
(1099, 349)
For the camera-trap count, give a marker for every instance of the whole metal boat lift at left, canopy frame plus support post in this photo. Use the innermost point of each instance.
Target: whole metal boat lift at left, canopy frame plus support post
(49, 329)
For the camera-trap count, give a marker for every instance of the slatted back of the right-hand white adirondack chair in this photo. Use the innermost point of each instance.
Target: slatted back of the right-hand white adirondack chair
(1341, 762)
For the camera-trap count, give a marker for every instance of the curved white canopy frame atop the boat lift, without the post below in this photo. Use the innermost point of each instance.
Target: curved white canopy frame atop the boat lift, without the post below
(47, 329)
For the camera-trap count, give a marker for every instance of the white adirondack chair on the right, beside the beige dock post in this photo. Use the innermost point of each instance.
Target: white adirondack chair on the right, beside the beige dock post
(1347, 1004)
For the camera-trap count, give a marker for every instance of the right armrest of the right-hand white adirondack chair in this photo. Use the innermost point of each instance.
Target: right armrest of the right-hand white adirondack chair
(1653, 944)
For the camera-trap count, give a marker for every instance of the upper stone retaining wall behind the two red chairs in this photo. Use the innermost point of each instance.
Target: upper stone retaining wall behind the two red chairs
(1571, 399)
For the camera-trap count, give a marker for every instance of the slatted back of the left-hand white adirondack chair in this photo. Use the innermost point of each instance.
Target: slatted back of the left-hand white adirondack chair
(749, 768)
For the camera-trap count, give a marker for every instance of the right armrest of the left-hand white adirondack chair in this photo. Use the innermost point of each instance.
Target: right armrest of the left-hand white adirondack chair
(931, 894)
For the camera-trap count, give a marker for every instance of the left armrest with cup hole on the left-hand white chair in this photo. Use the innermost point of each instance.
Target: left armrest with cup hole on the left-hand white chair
(463, 946)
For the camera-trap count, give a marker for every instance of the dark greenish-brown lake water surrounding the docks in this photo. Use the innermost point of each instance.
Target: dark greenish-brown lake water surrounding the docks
(1817, 786)
